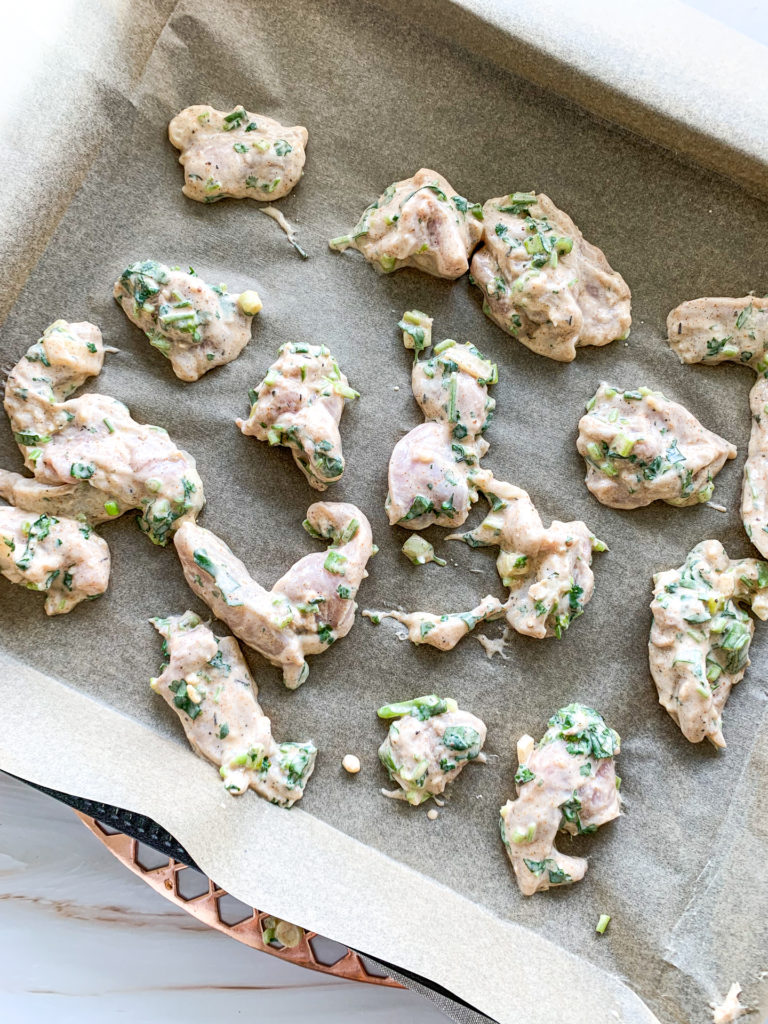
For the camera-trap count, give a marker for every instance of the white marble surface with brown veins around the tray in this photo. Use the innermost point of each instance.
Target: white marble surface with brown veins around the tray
(81, 938)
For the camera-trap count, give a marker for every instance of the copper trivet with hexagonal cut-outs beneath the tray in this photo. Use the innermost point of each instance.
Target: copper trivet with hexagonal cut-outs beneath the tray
(192, 891)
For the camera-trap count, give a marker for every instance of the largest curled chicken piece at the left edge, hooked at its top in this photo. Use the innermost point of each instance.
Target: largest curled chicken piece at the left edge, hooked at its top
(93, 442)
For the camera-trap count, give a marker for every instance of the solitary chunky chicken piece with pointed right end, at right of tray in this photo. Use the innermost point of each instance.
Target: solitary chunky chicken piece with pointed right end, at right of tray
(642, 448)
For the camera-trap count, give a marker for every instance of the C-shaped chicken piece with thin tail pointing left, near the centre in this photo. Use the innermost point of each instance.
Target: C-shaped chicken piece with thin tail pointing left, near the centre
(547, 571)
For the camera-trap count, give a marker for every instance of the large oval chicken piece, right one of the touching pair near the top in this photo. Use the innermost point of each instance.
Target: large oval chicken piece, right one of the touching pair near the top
(544, 283)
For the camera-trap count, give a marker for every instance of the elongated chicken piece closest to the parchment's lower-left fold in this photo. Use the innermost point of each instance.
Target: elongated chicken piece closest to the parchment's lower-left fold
(206, 681)
